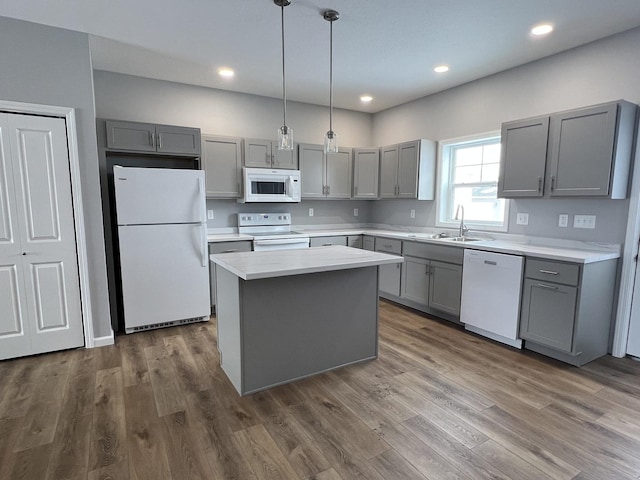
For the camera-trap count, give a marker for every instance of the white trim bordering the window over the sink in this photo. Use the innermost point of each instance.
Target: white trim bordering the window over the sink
(442, 184)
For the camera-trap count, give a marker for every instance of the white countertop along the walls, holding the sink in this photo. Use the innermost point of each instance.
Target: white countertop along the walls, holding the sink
(568, 251)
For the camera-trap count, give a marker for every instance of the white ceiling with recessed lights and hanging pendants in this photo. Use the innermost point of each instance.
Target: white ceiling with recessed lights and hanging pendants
(384, 48)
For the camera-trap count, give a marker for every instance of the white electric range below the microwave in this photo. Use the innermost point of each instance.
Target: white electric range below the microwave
(271, 231)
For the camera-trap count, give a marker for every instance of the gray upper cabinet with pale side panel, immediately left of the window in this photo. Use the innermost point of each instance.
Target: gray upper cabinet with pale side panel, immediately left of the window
(407, 170)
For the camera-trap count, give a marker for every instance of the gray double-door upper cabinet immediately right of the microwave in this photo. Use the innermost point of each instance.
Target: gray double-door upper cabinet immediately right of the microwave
(325, 175)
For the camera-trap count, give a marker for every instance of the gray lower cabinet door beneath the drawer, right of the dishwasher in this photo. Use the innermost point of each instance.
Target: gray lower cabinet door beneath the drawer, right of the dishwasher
(548, 313)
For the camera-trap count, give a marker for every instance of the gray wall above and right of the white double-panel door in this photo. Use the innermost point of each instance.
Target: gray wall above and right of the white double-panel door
(50, 66)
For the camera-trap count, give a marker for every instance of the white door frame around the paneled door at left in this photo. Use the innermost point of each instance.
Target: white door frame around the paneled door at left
(69, 114)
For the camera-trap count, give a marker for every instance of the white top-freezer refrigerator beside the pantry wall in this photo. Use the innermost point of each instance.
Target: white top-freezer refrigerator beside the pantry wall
(162, 239)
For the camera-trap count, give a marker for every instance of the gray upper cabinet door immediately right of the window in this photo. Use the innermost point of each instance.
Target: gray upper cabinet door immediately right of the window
(523, 158)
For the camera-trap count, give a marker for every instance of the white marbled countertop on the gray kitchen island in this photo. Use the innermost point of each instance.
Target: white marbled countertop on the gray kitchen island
(280, 263)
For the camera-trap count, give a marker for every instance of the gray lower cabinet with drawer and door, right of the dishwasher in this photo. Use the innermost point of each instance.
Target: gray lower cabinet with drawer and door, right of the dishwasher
(567, 309)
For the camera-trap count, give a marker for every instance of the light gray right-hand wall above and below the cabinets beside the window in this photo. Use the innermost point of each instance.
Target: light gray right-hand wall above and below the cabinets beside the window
(595, 73)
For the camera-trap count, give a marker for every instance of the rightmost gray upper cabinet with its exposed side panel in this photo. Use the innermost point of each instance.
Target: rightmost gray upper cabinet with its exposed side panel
(590, 150)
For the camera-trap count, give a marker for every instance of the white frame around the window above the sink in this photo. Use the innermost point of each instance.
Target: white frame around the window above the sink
(444, 195)
